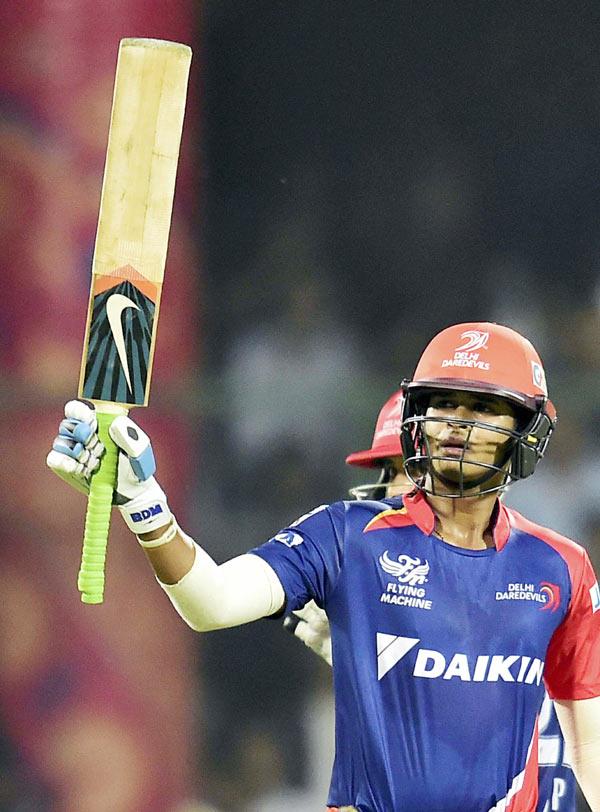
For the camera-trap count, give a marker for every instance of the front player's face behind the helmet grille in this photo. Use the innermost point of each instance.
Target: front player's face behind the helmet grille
(464, 448)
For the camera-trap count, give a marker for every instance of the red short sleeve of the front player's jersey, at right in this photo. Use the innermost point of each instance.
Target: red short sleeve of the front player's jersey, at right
(572, 668)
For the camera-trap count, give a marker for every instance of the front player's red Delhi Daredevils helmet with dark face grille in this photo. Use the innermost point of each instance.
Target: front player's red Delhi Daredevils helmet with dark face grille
(489, 359)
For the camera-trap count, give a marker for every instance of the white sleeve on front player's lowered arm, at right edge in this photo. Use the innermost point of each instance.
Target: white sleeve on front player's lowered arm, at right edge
(580, 724)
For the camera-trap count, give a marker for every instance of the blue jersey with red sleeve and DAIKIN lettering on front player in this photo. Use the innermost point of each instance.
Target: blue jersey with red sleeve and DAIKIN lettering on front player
(439, 652)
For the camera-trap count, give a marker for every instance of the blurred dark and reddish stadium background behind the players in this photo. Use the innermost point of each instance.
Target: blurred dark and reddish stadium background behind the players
(351, 183)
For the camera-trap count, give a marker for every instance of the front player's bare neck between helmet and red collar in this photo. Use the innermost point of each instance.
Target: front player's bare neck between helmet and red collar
(464, 522)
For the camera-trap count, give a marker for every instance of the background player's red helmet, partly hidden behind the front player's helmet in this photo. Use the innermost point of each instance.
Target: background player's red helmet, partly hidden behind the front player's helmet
(386, 446)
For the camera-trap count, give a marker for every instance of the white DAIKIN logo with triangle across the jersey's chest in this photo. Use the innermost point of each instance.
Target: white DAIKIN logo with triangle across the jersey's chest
(432, 664)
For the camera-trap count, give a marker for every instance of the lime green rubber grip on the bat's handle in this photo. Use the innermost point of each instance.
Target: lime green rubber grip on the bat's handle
(90, 581)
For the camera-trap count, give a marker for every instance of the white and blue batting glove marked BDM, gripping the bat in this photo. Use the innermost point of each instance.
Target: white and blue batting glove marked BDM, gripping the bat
(76, 453)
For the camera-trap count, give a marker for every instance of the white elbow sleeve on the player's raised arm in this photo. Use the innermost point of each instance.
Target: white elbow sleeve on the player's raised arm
(212, 596)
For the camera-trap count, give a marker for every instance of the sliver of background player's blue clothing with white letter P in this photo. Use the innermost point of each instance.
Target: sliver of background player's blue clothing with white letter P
(556, 780)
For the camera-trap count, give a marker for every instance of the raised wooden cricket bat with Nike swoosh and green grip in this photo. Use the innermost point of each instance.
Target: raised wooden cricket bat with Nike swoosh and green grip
(129, 262)
